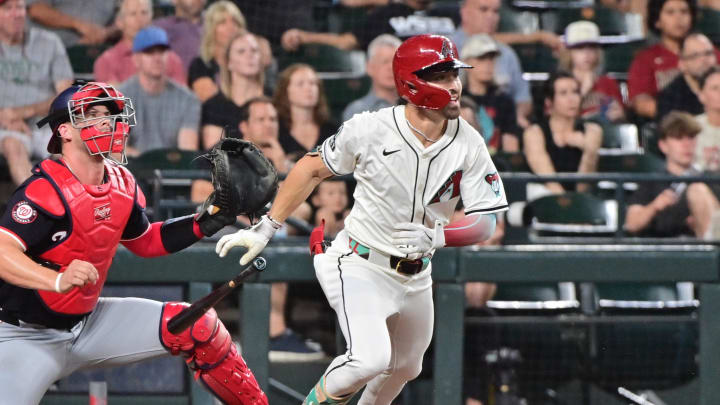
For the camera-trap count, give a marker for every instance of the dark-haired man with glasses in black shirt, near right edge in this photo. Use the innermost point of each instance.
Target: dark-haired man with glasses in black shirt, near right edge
(697, 56)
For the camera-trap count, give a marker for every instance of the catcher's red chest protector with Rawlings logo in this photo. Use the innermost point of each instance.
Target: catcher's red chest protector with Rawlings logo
(98, 217)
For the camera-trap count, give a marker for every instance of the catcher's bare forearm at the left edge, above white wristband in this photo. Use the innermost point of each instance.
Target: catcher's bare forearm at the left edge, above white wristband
(18, 269)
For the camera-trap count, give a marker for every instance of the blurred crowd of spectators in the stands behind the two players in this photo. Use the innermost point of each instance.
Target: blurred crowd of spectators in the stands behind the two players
(628, 86)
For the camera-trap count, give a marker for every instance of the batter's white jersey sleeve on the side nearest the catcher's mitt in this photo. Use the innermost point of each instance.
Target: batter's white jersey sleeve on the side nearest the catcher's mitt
(340, 151)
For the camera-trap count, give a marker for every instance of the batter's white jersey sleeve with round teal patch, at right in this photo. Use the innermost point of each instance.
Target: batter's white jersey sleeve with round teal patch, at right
(481, 187)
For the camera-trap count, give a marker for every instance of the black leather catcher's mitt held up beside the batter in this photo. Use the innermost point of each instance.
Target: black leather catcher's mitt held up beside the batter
(244, 181)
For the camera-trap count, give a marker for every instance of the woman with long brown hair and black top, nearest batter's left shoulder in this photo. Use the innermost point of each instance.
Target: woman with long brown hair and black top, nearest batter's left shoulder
(303, 110)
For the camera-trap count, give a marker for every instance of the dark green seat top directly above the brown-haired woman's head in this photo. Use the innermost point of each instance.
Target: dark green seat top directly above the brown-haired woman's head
(324, 58)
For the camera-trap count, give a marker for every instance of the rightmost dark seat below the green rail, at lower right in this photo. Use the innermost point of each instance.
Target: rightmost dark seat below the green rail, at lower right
(647, 352)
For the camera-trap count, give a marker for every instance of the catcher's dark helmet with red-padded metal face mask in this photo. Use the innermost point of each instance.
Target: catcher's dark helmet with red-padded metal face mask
(71, 106)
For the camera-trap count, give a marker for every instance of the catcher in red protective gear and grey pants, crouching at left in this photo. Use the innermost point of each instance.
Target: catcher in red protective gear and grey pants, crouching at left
(57, 240)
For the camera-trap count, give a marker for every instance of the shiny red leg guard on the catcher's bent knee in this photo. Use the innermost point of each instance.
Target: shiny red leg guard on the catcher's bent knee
(211, 353)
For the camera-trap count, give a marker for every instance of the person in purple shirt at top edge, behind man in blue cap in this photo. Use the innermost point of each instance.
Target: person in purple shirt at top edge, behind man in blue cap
(184, 29)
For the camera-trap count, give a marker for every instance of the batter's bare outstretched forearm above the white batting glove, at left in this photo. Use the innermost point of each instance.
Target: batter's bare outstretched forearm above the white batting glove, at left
(297, 187)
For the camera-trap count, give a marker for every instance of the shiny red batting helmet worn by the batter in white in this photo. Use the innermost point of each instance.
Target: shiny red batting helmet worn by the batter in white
(417, 55)
